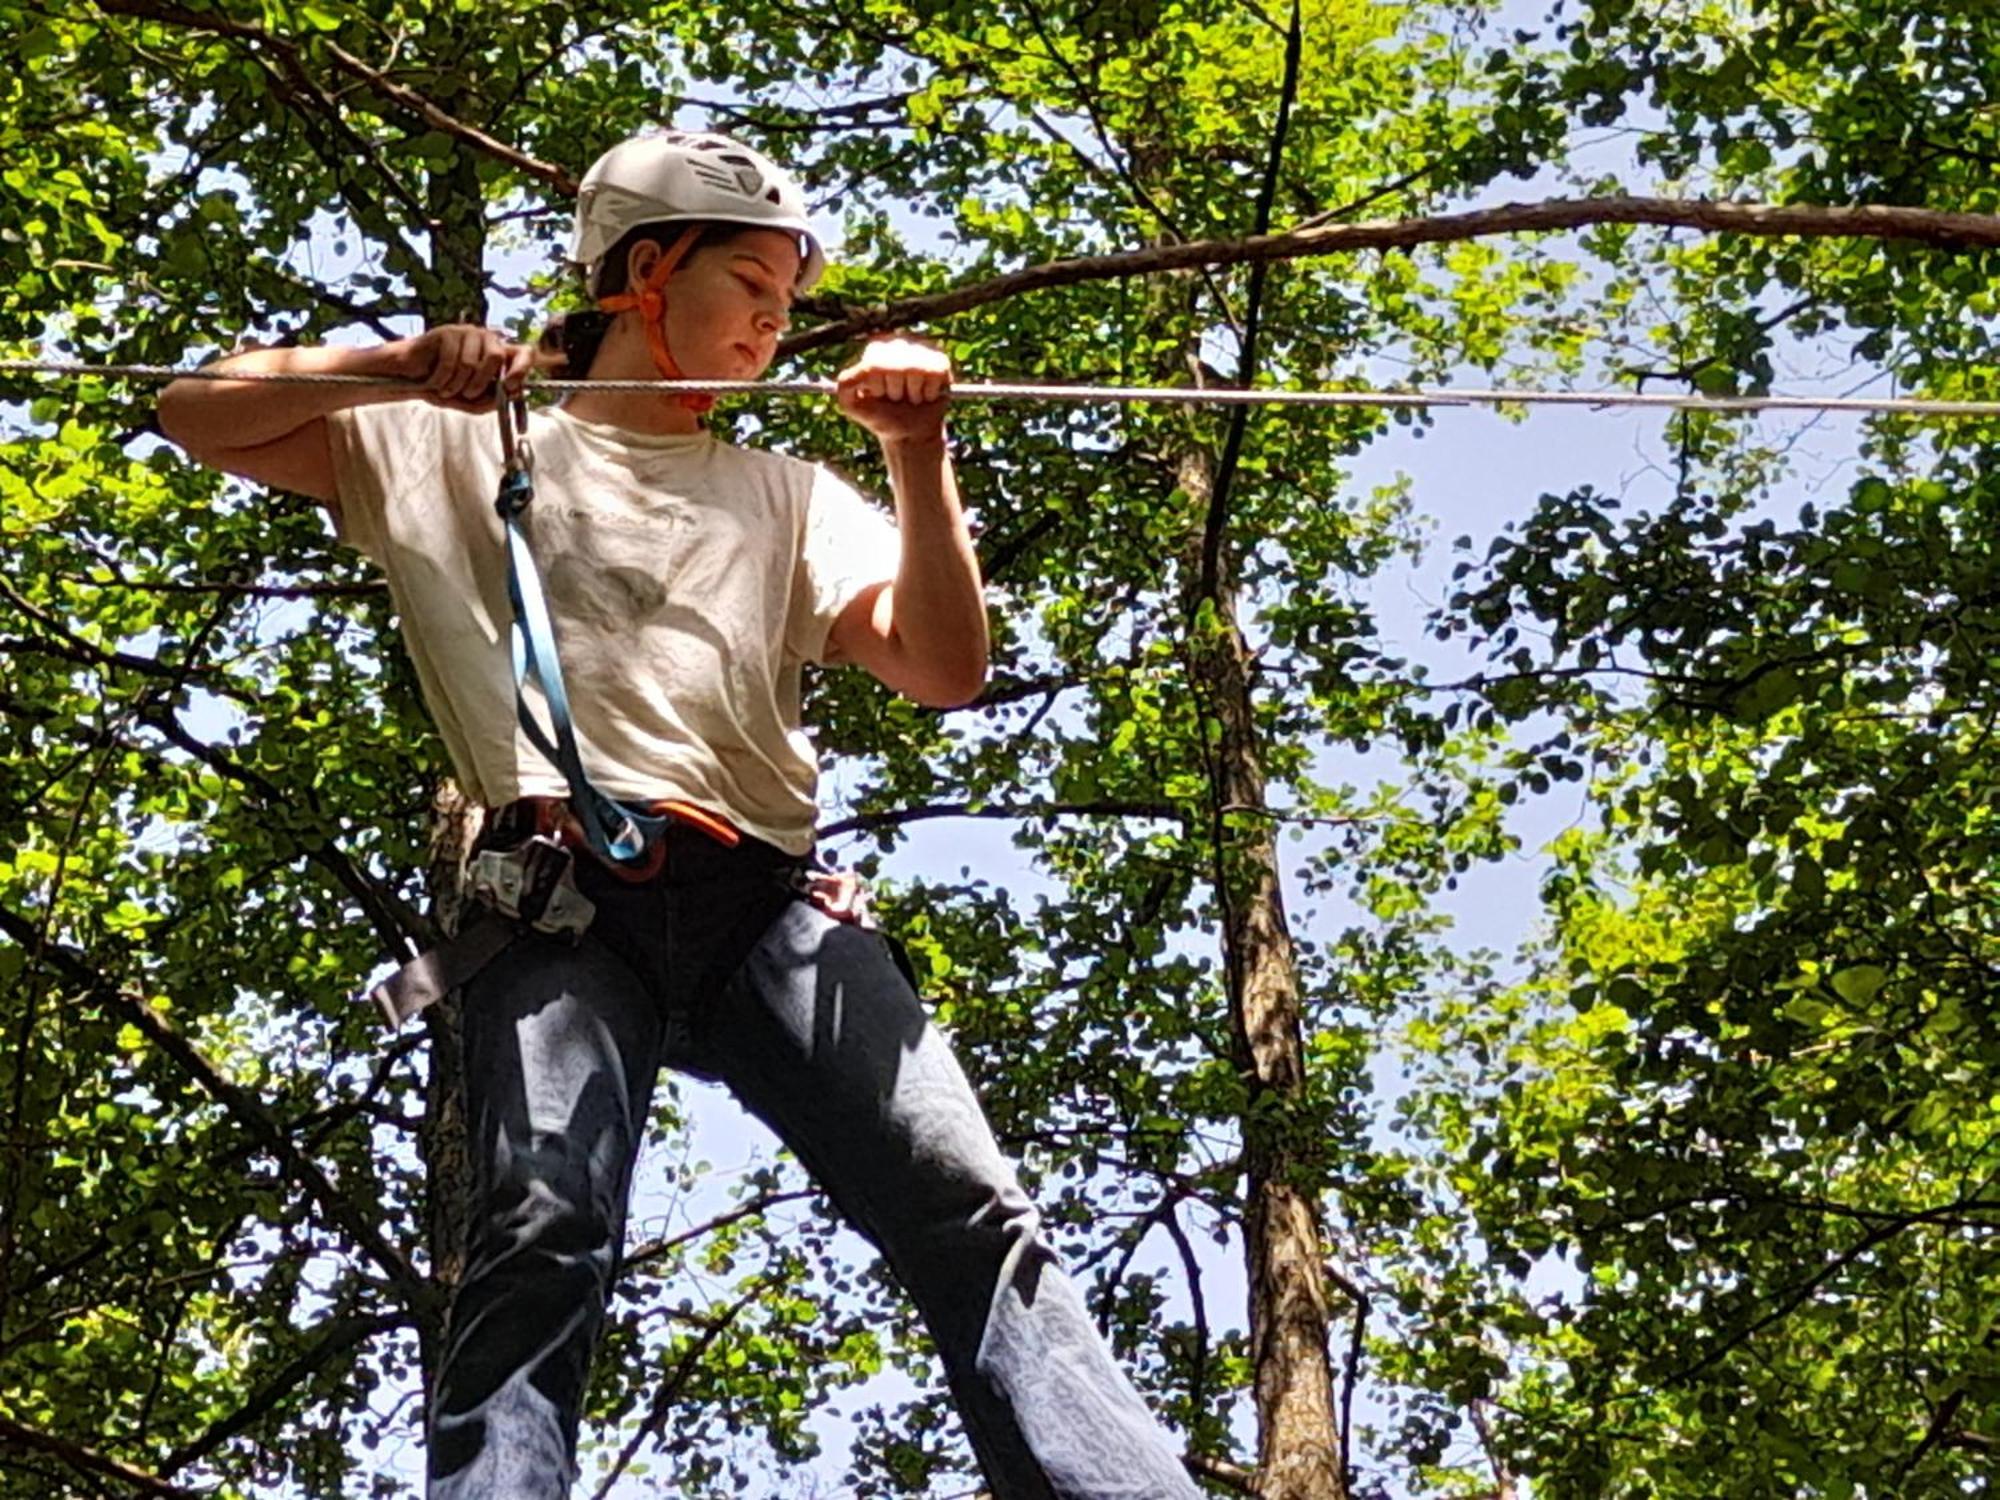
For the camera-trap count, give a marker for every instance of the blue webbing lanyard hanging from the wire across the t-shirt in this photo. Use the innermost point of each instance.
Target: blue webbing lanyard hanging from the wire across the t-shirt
(613, 831)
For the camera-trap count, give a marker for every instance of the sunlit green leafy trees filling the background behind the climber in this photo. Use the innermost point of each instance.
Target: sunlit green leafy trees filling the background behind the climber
(1737, 1097)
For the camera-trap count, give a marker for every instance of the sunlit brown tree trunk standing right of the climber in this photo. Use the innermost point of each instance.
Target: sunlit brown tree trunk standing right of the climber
(1293, 1381)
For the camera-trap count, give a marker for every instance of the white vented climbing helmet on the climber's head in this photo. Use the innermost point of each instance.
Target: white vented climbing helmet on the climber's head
(681, 177)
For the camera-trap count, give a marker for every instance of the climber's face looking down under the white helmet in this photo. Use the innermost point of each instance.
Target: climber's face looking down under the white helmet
(729, 303)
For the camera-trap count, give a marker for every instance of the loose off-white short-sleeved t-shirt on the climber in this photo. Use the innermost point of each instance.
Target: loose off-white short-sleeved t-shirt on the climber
(687, 579)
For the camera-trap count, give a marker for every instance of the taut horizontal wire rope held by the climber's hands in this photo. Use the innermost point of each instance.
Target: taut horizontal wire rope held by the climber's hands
(1421, 397)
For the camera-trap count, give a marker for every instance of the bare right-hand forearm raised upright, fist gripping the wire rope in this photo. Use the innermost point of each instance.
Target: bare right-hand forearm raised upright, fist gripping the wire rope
(925, 633)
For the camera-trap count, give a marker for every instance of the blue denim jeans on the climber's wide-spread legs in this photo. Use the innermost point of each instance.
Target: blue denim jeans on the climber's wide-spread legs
(813, 1025)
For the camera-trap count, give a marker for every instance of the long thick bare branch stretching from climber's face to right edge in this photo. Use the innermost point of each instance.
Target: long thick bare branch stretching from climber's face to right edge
(1769, 221)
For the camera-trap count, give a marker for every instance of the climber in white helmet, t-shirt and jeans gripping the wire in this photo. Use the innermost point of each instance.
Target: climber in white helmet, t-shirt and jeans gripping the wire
(645, 865)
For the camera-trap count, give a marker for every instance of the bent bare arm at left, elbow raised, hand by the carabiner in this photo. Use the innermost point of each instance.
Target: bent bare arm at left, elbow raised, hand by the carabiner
(277, 435)
